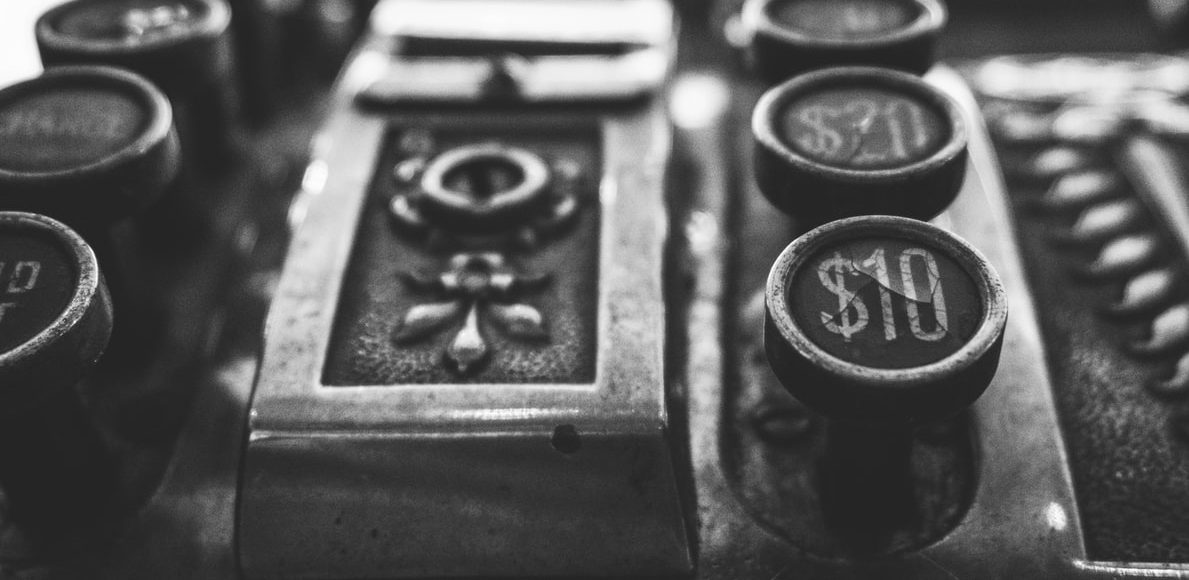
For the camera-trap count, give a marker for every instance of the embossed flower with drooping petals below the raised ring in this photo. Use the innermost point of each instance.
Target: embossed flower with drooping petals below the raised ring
(474, 287)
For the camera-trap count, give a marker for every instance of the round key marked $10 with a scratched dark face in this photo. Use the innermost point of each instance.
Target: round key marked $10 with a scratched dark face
(882, 320)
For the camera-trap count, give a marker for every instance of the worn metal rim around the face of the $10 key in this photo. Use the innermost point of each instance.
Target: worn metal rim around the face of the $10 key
(991, 289)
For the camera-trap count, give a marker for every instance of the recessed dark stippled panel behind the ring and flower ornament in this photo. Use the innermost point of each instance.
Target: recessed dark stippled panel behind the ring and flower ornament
(382, 285)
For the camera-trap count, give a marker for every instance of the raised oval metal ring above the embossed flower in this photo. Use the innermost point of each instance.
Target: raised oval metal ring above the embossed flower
(536, 180)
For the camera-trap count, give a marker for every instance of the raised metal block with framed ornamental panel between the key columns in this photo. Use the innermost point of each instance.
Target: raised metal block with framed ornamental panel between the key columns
(462, 437)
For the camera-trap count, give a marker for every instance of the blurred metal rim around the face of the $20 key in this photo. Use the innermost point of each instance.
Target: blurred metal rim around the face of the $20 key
(772, 104)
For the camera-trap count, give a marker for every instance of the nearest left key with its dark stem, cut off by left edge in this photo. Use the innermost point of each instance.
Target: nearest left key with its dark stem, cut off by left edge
(55, 324)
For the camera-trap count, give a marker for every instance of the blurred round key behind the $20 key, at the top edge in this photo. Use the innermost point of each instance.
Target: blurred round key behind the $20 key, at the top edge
(791, 37)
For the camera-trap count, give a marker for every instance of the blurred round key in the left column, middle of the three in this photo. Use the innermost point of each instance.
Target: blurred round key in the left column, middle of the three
(85, 144)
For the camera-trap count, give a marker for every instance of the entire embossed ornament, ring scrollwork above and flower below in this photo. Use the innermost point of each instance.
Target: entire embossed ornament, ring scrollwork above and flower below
(483, 204)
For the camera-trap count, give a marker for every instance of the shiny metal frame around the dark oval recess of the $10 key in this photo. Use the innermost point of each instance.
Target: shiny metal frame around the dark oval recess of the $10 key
(1022, 521)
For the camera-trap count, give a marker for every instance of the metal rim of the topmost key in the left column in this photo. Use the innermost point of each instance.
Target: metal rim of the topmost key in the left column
(216, 22)
